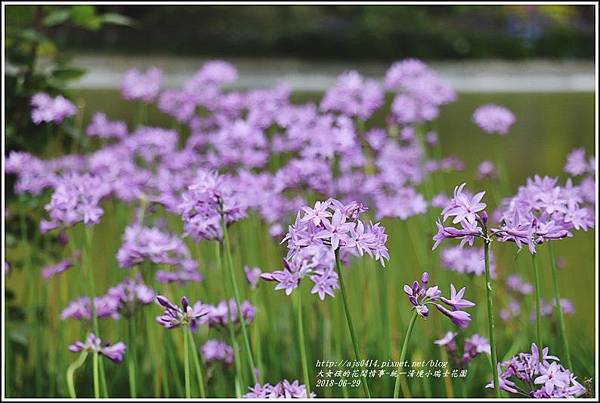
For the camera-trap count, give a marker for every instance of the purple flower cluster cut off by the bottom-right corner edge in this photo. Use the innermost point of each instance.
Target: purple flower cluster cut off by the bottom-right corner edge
(525, 375)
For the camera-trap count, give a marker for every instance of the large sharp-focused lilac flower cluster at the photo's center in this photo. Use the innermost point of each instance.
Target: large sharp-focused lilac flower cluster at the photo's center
(317, 235)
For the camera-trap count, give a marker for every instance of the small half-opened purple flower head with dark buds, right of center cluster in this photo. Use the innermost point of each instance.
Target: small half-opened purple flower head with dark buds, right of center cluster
(421, 295)
